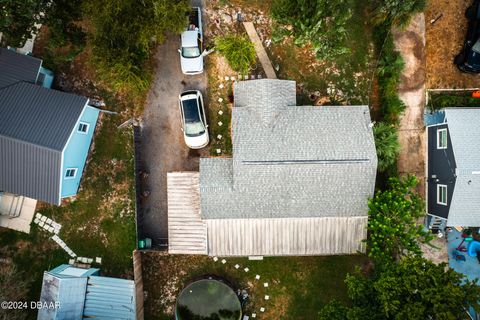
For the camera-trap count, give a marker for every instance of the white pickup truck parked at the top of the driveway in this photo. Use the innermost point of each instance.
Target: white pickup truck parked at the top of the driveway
(191, 54)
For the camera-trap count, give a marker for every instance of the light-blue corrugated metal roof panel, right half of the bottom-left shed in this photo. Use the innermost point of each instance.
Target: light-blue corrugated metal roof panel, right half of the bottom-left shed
(109, 298)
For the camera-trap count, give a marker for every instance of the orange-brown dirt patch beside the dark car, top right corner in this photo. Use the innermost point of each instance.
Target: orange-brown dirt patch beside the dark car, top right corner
(444, 41)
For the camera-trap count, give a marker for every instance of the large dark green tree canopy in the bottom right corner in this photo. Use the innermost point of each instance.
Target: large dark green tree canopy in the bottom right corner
(414, 288)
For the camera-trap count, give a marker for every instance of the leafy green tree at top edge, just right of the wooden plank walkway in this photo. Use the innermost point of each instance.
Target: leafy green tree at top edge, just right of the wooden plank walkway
(320, 23)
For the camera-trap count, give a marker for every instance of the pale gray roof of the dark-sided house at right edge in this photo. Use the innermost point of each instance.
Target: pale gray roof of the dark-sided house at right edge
(463, 126)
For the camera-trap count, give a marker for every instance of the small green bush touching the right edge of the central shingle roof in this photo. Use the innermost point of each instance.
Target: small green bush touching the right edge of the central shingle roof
(388, 147)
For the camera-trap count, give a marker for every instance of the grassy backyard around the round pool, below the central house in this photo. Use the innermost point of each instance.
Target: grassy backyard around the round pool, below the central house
(298, 286)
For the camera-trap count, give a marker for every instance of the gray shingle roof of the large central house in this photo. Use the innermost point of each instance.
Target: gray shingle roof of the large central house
(292, 161)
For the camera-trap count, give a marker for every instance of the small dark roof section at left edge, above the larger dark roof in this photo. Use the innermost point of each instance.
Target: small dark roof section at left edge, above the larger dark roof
(17, 67)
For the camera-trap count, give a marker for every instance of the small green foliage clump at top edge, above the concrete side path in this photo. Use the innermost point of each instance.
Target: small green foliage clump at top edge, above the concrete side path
(396, 12)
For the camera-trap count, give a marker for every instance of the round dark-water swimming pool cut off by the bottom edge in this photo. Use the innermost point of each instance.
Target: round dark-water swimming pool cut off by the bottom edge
(208, 299)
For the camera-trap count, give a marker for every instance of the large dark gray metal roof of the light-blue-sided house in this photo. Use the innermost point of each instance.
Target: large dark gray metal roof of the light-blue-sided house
(35, 125)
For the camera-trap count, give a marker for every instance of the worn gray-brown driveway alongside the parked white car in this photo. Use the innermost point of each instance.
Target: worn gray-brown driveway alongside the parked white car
(163, 148)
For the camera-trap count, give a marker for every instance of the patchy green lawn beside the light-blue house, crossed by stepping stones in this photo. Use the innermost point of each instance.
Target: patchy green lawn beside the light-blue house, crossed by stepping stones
(99, 223)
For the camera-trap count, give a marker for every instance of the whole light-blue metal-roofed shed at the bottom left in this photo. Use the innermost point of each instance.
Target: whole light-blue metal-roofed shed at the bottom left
(83, 294)
